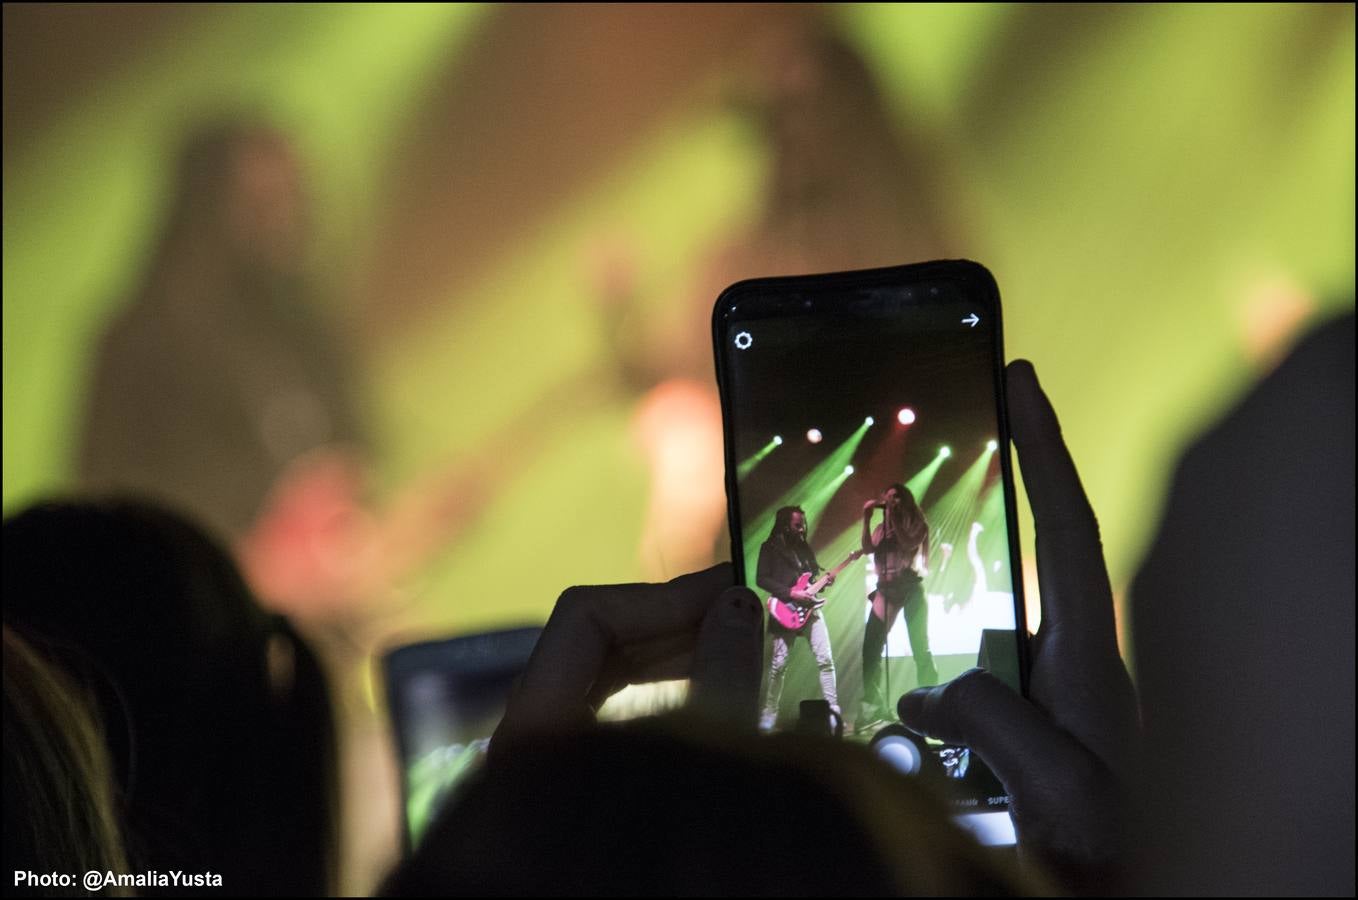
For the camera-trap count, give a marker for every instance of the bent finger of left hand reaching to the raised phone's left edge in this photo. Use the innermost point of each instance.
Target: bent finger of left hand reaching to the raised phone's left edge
(586, 625)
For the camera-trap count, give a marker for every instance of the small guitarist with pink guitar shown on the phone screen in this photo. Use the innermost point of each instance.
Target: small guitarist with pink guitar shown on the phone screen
(783, 560)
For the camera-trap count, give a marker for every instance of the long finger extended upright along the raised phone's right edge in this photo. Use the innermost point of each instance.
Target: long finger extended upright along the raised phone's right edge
(1072, 575)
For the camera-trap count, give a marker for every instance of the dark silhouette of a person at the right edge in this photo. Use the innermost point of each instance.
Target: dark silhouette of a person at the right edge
(1245, 641)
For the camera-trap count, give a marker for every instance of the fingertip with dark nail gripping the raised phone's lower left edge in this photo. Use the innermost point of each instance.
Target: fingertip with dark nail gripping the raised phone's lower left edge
(729, 662)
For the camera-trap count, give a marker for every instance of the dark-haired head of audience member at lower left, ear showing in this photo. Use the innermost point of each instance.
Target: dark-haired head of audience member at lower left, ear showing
(219, 720)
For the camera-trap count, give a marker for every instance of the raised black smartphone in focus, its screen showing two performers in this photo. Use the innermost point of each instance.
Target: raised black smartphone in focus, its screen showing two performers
(871, 500)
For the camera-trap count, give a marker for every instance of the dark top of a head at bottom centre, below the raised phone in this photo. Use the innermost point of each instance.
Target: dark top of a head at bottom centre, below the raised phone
(674, 810)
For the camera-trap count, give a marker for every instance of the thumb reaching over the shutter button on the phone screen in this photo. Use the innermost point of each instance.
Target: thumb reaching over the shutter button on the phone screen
(1014, 738)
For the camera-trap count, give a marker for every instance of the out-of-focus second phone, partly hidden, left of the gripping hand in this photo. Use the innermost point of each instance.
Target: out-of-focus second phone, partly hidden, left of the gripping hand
(446, 700)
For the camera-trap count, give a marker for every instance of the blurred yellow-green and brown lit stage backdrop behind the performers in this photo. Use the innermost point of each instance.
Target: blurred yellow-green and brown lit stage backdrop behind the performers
(1164, 193)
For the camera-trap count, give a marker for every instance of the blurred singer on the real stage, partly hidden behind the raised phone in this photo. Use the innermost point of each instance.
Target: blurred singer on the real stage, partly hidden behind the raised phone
(845, 191)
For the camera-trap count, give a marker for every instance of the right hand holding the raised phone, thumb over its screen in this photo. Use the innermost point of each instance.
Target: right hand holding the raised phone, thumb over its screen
(1067, 754)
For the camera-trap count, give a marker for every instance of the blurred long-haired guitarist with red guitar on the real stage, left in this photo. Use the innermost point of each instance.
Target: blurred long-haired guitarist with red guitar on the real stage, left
(222, 392)
